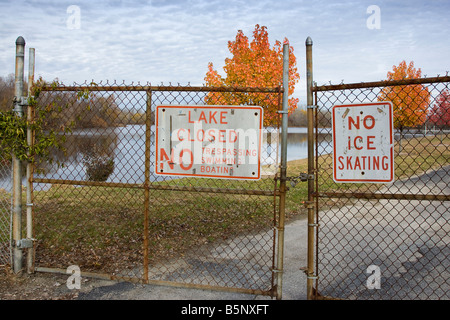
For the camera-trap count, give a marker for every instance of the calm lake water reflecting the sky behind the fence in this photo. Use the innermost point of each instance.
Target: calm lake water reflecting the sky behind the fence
(126, 146)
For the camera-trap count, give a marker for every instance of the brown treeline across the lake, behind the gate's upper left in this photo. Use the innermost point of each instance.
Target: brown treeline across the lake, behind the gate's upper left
(77, 110)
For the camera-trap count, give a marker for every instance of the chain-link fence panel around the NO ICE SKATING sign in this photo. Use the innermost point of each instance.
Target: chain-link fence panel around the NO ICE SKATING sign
(378, 241)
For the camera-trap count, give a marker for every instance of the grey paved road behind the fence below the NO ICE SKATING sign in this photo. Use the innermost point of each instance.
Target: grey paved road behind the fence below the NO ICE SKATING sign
(408, 240)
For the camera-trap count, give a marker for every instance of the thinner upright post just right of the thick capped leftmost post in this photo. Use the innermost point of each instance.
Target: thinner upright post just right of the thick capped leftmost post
(29, 186)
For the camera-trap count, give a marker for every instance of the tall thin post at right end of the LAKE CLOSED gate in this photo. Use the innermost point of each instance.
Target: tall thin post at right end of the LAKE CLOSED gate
(283, 161)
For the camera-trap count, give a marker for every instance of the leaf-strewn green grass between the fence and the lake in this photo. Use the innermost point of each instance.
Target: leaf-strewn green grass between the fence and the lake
(101, 228)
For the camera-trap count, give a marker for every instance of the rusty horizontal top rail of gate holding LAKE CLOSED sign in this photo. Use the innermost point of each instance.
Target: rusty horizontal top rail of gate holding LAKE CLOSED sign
(101, 87)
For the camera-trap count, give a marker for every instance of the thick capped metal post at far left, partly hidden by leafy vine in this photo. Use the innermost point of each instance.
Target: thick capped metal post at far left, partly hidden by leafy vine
(17, 166)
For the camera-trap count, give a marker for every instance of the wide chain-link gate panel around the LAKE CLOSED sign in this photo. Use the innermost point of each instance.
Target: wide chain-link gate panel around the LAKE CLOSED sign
(101, 206)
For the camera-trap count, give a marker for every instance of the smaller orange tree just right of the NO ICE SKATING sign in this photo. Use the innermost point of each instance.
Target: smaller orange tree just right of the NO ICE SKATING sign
(410, 102)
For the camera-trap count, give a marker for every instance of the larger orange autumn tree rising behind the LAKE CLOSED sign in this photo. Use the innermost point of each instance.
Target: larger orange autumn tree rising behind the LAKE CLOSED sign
(254, 64)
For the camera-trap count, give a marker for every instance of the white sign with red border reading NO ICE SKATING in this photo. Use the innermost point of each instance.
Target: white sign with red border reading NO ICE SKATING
(363, 143)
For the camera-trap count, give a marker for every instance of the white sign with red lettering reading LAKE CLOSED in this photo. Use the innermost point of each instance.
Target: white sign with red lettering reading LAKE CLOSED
(209, 141)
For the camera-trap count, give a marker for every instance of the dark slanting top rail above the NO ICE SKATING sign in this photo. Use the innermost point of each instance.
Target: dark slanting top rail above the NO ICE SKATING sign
(383, 83)
